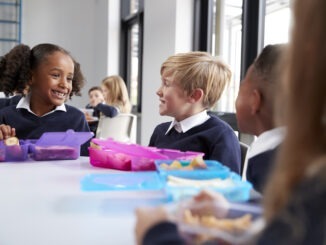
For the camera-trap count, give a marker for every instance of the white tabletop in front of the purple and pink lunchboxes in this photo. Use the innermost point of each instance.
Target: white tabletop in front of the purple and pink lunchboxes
(42, 203)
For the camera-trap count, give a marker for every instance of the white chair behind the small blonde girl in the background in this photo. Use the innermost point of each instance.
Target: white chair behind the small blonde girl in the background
(120, 128)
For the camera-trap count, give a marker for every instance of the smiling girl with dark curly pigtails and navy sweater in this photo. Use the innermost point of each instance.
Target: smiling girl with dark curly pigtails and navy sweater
(52, 76)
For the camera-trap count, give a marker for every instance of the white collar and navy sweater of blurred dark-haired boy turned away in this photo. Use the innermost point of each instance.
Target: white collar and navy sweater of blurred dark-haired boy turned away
(261, 157)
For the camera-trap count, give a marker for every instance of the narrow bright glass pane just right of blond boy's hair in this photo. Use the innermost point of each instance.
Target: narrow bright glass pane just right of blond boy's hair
(227, 33)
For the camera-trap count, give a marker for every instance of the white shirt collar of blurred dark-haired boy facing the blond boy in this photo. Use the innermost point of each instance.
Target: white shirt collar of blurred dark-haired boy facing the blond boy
(268, 140)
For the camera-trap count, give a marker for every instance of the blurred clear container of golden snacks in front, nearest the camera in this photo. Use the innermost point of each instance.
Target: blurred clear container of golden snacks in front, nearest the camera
(216, 222)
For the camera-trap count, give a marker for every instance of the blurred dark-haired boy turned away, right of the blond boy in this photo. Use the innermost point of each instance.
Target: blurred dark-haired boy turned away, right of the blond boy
(255, 114)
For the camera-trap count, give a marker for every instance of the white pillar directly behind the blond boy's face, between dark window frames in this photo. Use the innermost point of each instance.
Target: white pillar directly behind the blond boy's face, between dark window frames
(167, 30)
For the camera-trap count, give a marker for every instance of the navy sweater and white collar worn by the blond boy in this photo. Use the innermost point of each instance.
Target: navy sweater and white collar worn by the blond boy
(202, 133)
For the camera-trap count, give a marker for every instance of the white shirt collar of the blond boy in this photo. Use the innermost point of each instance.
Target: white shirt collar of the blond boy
(190, 122)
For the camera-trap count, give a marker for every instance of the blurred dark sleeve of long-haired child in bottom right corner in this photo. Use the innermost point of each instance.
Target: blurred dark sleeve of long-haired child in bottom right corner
(302, 220)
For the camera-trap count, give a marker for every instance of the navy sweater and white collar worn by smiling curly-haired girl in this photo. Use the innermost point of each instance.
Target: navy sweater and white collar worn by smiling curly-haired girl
(30, 126)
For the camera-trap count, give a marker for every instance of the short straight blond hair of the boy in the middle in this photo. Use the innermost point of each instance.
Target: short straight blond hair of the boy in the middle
(194, 70)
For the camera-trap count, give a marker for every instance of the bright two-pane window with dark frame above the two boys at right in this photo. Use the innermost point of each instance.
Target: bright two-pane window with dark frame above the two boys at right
(240, 29)
